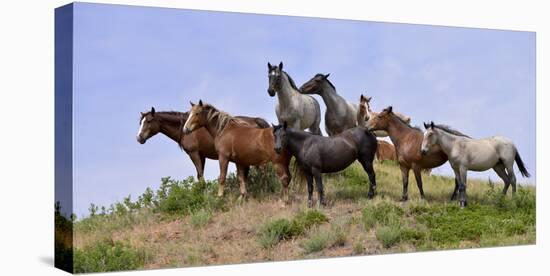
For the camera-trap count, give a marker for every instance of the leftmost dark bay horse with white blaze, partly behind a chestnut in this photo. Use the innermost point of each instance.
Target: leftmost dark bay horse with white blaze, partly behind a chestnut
(199, 145)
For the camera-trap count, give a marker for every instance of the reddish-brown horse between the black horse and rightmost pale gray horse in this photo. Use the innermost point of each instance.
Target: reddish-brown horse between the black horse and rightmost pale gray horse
(408, 141)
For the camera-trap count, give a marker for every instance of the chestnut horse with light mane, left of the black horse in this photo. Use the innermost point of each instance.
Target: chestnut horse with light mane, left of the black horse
(239, 143)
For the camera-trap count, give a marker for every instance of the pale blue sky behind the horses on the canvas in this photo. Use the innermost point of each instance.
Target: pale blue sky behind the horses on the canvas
(127, 59)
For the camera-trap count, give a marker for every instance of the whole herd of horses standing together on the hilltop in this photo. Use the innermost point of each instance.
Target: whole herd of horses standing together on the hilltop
(208, 132)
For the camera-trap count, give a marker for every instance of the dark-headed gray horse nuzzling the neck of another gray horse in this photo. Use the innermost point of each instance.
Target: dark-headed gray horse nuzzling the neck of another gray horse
(340, 114)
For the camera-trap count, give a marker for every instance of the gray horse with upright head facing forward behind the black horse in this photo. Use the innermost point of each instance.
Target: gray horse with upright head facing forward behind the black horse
(299, 111)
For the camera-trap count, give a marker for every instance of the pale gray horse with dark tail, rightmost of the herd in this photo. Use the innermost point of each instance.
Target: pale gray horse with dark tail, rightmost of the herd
(465, 153)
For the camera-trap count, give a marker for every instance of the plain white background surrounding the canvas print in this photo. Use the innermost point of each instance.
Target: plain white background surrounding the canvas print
(27, 135)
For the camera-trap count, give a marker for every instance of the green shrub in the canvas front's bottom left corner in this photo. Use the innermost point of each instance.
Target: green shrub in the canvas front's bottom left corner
(108, 256)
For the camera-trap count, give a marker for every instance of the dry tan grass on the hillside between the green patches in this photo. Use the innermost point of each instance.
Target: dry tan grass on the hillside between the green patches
(232, 236)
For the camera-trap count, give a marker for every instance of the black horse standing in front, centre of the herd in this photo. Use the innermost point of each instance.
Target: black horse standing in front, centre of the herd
(317, 154)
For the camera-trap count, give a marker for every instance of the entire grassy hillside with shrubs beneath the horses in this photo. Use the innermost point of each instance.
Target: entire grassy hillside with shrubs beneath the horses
(184, 224)
